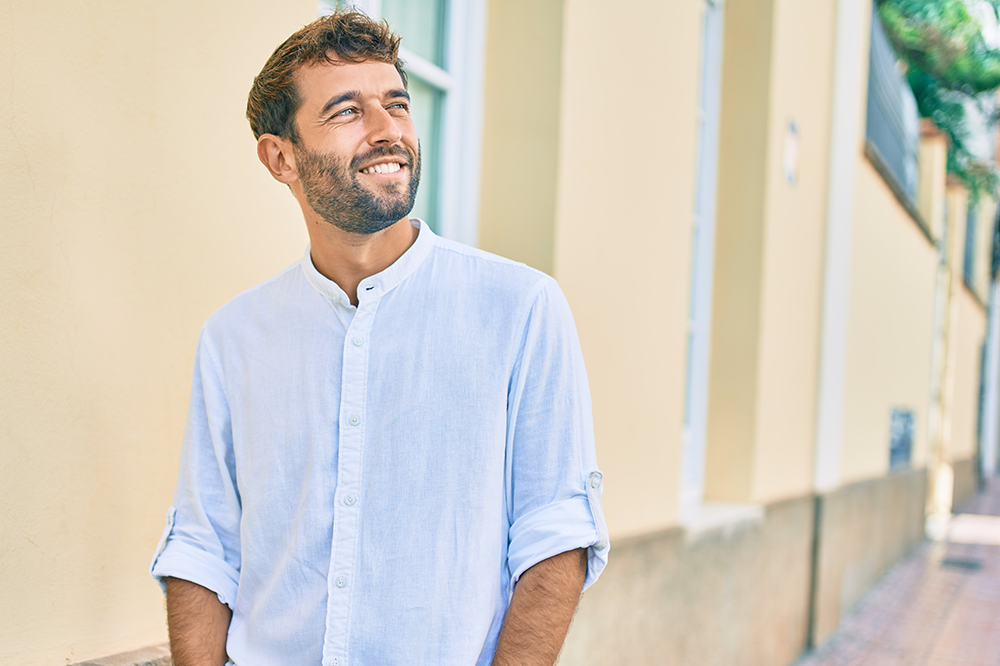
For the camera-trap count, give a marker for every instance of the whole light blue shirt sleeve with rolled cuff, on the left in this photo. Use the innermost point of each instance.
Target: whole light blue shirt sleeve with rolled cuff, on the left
(201, 540)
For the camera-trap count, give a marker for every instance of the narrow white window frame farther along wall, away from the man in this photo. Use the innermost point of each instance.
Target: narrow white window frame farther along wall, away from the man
(692, 481)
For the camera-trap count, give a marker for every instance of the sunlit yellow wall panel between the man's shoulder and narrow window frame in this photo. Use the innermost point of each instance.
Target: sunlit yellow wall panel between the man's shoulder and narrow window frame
(623, 217)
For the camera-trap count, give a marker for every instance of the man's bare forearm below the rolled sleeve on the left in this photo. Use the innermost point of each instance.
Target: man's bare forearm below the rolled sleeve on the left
(198, 624)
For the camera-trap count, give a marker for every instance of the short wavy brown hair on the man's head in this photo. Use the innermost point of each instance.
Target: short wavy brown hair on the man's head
(342, 36)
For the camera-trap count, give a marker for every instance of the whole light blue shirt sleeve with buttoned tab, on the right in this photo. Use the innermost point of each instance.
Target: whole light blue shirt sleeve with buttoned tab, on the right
(553, 486)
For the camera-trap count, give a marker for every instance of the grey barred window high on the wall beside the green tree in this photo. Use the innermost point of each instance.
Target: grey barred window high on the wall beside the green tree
(893, 128)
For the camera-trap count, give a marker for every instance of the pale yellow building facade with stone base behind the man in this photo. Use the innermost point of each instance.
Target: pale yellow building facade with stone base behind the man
(784, 338)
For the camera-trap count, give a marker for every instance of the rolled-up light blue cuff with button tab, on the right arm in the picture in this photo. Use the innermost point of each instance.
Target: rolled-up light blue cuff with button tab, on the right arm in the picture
(577, 522)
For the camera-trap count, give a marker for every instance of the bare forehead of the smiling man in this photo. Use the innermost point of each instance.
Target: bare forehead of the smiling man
(319, 82)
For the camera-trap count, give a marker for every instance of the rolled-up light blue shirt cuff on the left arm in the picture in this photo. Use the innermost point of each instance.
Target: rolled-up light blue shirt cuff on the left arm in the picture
(176, 558)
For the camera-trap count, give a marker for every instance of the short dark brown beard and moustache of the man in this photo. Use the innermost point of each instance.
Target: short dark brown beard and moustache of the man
(332, 188)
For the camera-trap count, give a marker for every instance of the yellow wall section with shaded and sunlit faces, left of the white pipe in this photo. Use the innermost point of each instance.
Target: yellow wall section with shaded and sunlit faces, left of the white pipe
(777, 71)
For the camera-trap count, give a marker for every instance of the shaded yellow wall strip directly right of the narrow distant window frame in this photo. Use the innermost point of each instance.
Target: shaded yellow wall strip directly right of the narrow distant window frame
(736, 309)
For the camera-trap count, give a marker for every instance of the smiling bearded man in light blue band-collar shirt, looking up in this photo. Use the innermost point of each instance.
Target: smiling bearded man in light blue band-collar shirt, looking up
(389, 452)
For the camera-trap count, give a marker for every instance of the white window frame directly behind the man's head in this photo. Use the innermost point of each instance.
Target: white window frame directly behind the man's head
(461, 83)
